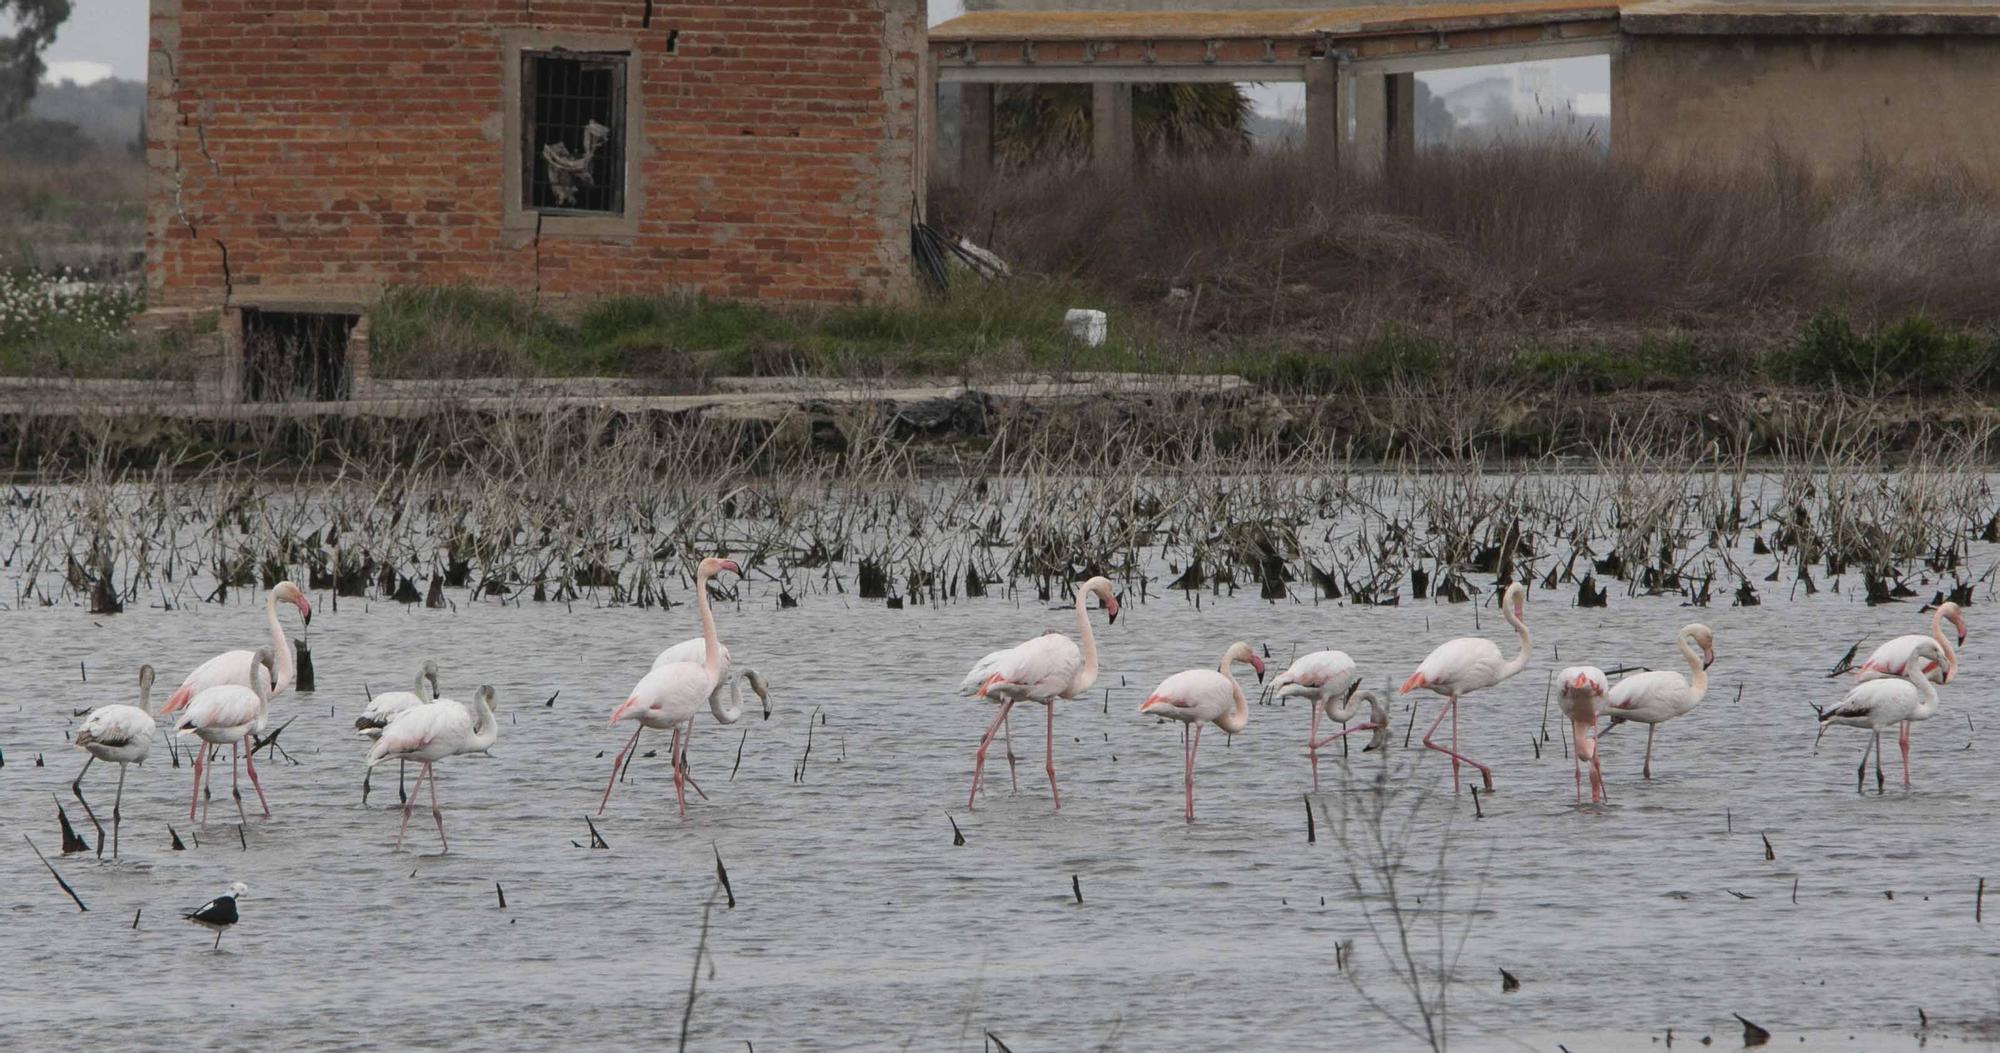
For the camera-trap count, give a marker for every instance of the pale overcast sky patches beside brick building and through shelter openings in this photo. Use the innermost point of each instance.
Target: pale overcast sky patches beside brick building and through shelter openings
(109, 37)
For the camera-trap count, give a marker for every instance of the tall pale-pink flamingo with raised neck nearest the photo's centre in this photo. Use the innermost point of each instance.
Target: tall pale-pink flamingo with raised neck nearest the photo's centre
(1039, 672)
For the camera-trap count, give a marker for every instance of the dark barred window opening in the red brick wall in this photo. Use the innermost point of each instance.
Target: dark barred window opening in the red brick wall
(573, 133)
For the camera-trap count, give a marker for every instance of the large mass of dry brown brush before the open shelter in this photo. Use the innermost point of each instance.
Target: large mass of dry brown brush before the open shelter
(1521, 237)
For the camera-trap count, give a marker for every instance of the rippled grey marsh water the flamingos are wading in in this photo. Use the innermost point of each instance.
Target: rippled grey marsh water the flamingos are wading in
(861, 926)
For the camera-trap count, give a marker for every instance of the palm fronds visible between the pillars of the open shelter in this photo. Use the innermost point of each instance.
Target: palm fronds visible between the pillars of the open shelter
(1051, 123)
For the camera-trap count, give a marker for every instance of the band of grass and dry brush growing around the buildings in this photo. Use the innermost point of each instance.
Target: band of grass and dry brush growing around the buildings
(1509, 267)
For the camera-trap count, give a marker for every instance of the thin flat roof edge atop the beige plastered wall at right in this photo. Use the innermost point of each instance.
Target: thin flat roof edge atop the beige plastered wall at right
(1805, 19)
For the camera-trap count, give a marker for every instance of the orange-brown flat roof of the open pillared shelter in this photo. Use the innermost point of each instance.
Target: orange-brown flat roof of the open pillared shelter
(1275, 25)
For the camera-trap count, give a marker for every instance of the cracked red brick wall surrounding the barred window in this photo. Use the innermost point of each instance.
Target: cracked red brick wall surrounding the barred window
(325, 149)
